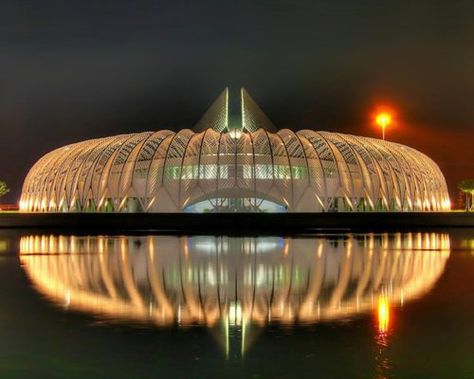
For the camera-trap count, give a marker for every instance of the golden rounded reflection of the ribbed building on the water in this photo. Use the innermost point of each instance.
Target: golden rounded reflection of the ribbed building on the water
(204, 280)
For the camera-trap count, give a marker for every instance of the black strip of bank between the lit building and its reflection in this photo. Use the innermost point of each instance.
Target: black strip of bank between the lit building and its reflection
(234, 223)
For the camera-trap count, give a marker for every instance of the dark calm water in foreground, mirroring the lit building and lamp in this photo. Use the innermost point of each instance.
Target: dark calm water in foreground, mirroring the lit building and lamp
(398, 305)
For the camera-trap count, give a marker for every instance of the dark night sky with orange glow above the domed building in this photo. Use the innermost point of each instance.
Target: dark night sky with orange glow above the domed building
(73, 70)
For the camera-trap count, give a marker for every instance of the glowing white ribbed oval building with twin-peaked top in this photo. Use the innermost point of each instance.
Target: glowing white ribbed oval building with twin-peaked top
(234, 164)
